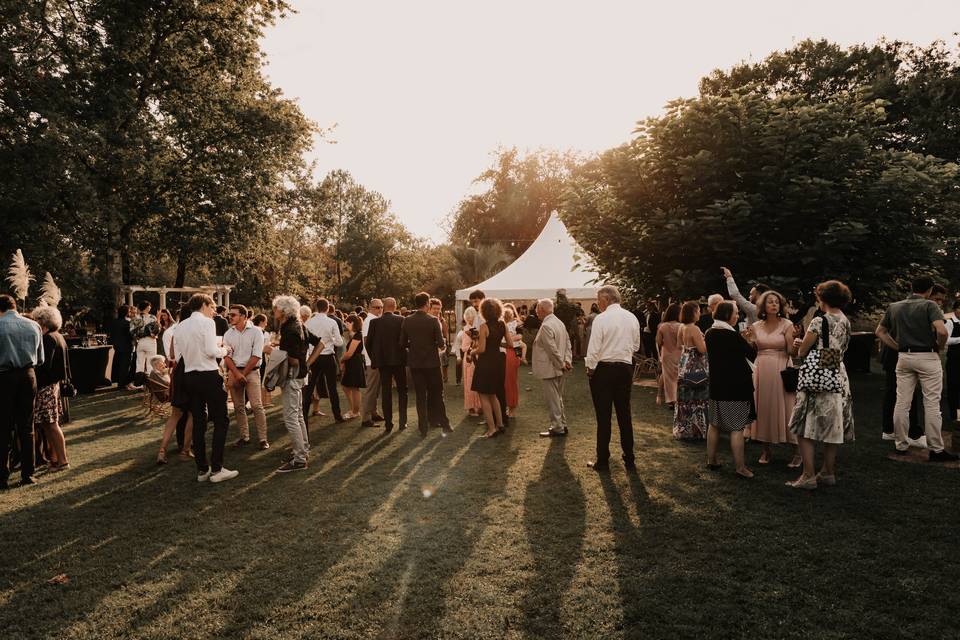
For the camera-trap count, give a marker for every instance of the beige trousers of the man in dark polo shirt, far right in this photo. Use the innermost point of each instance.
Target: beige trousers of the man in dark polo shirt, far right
(923, 368)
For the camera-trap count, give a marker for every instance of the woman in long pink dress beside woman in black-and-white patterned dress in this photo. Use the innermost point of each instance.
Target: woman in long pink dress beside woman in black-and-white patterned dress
(774, 334)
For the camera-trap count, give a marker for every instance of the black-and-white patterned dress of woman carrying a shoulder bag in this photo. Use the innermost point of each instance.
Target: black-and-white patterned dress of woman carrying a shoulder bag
(828, 416)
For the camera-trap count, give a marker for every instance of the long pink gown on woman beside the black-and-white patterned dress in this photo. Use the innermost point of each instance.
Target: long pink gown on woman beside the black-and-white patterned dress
(774, 405)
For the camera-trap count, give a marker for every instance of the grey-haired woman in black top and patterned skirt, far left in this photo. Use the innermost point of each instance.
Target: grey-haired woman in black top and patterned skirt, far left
(47, 407)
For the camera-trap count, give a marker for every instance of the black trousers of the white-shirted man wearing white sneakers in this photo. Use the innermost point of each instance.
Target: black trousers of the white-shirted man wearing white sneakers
(205, 391)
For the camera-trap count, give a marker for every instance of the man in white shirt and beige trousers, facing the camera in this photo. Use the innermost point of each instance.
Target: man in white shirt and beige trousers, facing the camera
(245, 343)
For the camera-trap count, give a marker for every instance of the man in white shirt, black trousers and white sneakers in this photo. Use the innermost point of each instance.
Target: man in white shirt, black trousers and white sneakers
(197, 344)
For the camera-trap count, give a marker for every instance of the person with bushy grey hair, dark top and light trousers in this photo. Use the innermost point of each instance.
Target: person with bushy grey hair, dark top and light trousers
(293, 342)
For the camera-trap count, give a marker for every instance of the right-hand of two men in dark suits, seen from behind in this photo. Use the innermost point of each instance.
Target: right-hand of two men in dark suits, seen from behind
(422, 338)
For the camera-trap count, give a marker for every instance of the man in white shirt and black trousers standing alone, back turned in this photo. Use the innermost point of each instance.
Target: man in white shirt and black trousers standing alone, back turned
(614, 338)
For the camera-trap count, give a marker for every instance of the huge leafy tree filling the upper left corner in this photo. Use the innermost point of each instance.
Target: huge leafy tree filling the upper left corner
(131, 128)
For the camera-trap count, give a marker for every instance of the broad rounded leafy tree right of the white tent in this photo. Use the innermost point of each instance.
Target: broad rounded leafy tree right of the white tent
(787, 189)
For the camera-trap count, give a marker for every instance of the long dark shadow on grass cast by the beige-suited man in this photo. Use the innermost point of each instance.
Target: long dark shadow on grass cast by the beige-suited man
(554, 516)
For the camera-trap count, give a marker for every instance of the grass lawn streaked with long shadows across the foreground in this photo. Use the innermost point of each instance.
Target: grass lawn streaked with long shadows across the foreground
(518, 538)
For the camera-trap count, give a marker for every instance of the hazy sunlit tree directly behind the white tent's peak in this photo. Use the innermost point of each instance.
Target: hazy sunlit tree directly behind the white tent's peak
(521, 192)
